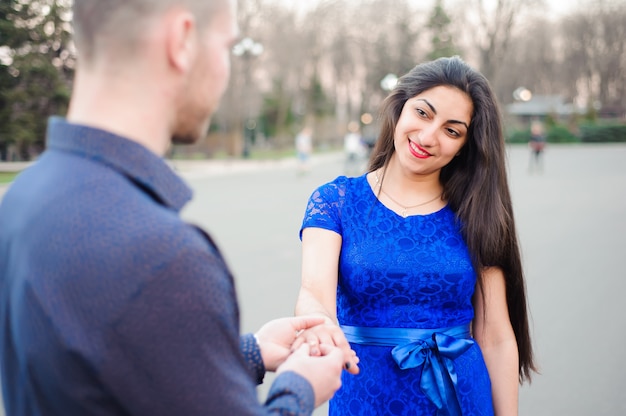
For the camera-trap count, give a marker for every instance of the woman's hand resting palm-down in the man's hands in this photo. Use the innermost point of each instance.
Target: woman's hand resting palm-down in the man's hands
(328, 334)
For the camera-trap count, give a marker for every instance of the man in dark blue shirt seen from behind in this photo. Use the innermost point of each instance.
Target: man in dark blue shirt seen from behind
(110, 304)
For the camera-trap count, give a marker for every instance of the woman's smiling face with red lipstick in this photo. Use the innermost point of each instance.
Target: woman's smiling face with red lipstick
(432, 128)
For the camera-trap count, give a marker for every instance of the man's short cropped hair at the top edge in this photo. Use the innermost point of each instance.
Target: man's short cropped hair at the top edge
(101, 25)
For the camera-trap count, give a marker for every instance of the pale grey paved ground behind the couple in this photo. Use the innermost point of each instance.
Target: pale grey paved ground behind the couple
(571, 224)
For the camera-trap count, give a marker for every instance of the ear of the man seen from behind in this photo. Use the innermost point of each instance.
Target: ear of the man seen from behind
(181, 41)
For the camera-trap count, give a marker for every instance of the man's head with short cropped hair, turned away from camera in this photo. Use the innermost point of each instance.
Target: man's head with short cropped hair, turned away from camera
(182, 46)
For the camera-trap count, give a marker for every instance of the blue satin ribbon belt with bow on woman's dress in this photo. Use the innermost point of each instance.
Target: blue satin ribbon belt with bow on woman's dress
(435, 349)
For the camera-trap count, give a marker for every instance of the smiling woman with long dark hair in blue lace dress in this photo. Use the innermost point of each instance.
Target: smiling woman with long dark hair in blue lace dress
(416, 263)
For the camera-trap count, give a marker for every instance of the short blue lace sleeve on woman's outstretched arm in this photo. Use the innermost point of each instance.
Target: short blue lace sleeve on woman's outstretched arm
(323, 209)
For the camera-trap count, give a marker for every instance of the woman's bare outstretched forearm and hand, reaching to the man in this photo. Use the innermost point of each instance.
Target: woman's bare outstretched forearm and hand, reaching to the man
(318, 292)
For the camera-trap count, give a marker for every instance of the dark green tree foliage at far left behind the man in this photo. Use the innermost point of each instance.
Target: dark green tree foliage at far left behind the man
(35, 73)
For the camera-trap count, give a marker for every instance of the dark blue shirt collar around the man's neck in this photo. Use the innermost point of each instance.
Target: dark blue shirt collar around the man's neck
(130, 158)
